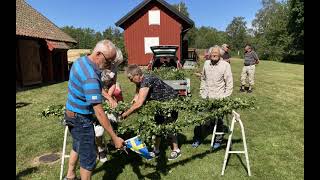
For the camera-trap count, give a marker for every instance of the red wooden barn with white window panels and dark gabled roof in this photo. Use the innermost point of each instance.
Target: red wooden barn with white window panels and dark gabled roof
(151, 23)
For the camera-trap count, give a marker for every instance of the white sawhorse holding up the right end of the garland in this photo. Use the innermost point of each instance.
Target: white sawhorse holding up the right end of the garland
(235, 118)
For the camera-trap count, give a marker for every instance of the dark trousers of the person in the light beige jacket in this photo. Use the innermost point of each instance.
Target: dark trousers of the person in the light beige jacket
(202, 131)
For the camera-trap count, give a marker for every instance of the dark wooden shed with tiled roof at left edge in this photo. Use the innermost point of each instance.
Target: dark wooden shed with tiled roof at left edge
(41, 48)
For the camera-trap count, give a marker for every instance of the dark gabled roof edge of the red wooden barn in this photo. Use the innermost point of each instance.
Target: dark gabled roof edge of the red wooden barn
(130, 14)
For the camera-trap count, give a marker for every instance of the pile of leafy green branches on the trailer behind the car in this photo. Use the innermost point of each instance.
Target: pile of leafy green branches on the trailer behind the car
(168, 73)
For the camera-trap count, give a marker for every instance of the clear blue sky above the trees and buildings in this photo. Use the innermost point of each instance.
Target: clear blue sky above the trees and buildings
(100, 14)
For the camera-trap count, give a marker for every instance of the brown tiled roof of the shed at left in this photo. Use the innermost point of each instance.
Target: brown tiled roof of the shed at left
(31, 23)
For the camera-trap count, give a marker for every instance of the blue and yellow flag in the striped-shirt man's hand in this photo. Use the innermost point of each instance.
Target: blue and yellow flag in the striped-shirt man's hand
(137, 146)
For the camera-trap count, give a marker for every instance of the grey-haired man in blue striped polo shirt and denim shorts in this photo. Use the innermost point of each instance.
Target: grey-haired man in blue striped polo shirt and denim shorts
(85, 99)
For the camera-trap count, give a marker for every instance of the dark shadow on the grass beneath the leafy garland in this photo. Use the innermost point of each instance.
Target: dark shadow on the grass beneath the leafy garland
(115, 166)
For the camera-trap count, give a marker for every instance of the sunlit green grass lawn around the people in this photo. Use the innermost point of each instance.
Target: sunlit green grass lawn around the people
(274, 132)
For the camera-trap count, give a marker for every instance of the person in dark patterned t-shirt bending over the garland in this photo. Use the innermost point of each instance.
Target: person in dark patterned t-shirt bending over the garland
(149, 87)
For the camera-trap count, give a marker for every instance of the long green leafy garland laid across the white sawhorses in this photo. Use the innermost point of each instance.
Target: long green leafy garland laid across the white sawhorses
(191, 112)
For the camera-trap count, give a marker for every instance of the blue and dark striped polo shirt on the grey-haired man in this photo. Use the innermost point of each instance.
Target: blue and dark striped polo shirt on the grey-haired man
(84, 86)
